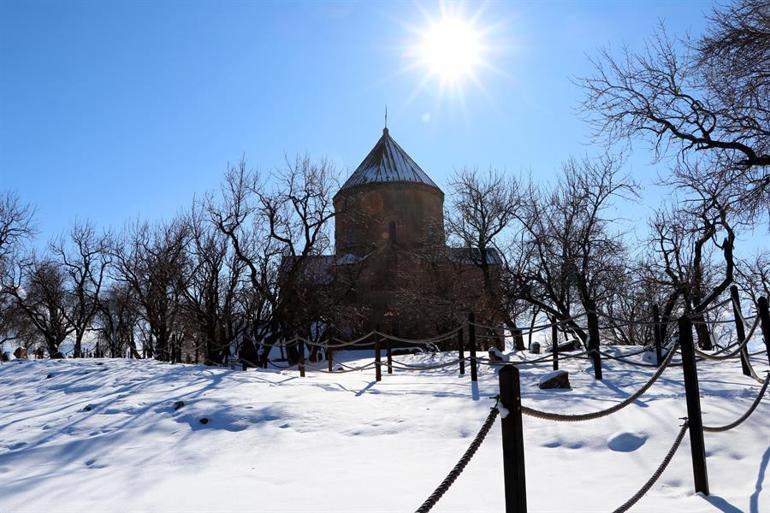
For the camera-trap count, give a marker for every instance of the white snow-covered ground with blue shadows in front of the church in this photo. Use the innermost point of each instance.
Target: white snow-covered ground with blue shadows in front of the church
(111, 436)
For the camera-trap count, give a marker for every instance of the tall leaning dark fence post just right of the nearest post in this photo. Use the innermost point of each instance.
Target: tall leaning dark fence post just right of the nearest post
(697, 446)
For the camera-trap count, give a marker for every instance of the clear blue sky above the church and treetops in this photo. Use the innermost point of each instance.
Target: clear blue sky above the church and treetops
(112, 110)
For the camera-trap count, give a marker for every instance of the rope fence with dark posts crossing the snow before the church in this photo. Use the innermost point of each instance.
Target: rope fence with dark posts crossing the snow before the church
(508, 405)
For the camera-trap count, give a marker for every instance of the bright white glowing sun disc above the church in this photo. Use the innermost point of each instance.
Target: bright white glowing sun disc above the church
(451, 50)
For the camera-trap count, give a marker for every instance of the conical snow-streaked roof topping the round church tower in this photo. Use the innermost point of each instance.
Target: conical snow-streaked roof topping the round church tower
(387, 162)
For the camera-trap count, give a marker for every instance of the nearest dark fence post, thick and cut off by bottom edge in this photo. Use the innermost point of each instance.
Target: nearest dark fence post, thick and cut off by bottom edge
(513, 441)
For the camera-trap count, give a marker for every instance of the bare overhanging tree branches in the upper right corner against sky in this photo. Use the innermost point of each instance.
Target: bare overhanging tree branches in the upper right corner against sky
(707, 97)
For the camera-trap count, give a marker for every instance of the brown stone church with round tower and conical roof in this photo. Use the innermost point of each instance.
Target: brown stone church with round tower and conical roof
(392, 268)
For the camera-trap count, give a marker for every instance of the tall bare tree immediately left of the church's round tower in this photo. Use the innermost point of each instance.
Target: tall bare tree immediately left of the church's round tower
(275, 233)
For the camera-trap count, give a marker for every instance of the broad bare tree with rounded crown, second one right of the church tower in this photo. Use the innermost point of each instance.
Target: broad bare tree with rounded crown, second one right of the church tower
(570, 254)
